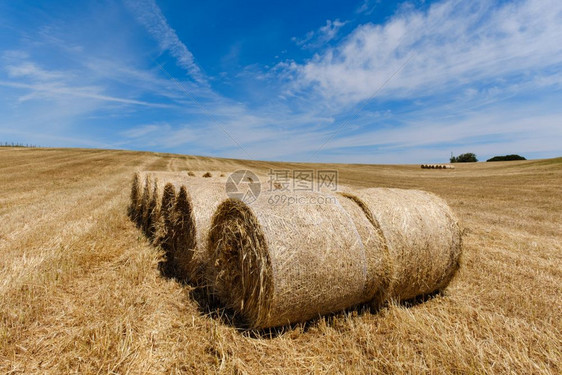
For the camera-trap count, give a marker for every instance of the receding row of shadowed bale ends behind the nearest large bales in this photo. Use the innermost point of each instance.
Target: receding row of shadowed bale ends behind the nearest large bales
(169, 207)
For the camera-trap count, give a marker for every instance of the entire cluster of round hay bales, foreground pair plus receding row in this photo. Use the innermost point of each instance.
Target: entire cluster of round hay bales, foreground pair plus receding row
(280, 264)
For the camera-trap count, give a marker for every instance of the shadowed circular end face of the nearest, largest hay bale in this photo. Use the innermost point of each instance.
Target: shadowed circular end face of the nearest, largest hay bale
(240, 268)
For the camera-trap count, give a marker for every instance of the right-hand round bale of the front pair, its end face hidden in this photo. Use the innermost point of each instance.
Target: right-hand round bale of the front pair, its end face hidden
(422, 235)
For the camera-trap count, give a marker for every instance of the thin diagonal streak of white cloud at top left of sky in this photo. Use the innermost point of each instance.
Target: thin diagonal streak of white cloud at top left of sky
(150, 16)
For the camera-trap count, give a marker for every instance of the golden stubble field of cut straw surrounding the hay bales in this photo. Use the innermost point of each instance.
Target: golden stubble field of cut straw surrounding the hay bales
(81, 290)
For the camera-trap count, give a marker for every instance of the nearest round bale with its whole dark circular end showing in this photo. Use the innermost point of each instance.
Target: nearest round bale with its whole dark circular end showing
(279, 264)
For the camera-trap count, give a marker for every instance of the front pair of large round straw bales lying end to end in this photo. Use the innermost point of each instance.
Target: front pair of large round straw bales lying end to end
(279, 264)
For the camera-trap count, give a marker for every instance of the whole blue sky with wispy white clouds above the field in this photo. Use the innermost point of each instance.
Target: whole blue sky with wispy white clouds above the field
(364, 81)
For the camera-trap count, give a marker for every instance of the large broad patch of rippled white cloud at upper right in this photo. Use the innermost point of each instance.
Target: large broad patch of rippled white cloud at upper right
(452, 44)
